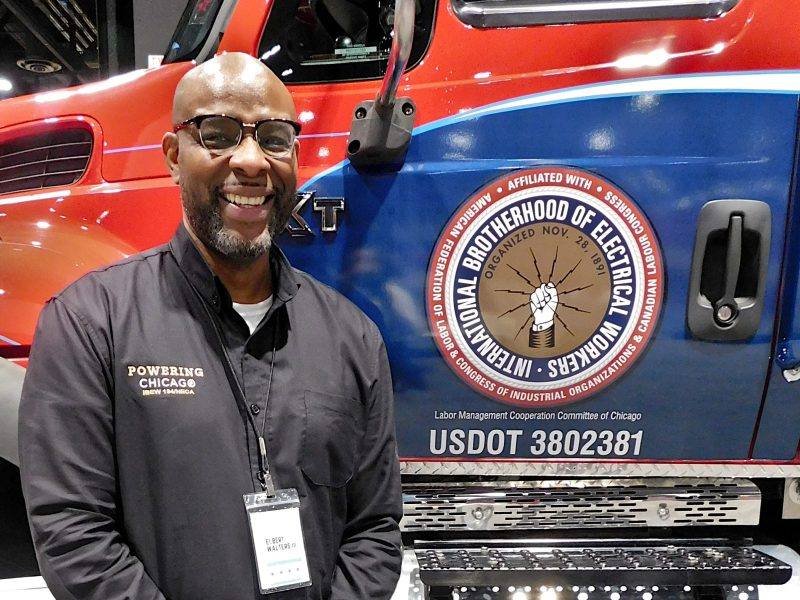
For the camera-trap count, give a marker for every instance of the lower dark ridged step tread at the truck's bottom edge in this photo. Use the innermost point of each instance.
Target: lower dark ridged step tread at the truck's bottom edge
(577, 562)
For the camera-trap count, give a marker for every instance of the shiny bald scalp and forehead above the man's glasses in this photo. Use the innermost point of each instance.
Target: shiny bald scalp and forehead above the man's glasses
(226, 78)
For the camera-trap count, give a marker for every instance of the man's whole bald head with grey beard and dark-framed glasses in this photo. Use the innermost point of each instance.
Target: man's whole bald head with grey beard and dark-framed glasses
(238, 198)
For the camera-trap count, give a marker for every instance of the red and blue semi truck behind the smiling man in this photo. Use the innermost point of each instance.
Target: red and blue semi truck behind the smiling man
(576, 225)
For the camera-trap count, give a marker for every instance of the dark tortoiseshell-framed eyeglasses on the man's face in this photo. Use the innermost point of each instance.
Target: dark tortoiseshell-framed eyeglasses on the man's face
(222, 134)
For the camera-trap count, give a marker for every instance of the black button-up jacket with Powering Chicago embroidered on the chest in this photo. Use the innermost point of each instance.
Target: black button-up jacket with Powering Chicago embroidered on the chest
(136, 449)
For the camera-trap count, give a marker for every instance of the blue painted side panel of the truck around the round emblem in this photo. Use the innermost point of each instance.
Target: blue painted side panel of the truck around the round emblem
(670, 151)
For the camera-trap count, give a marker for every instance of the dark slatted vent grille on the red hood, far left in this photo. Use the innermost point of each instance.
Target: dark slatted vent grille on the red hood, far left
(44, 160)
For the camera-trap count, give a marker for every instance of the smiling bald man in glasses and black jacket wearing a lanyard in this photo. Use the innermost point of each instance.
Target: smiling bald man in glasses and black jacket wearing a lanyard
(150, 409)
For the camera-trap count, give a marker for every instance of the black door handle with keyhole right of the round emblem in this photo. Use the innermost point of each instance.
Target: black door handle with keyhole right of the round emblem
(729, 270)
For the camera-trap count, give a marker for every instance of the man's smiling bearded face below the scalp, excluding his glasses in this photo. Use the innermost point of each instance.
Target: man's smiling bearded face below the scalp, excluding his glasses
(236, 203)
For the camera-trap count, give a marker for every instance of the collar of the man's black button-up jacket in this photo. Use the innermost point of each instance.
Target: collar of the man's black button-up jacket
(211, 288)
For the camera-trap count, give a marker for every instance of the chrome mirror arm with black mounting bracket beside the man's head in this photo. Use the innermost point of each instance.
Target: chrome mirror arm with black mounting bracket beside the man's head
(381, 129)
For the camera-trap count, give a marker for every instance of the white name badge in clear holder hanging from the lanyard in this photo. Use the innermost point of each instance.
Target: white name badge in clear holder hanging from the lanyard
(277, 537)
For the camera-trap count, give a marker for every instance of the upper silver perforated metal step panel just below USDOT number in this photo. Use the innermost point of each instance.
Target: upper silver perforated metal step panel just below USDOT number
(579, 504)
